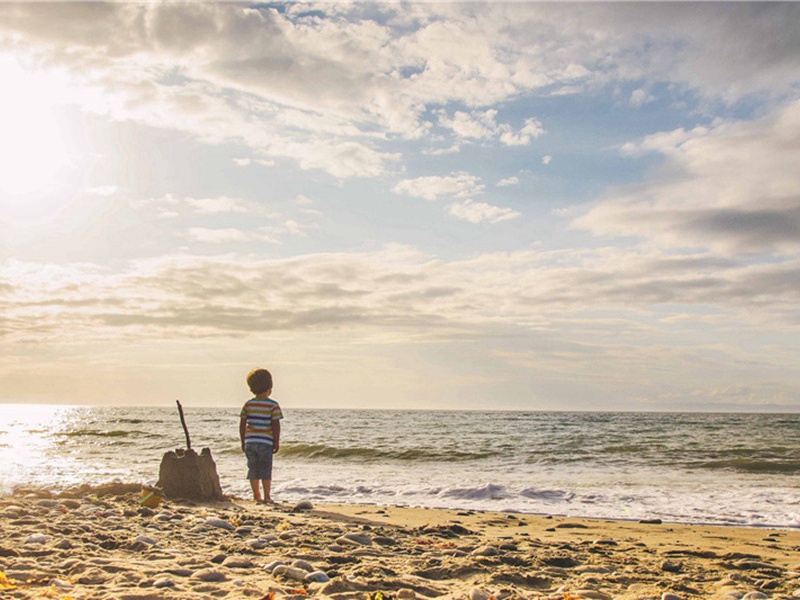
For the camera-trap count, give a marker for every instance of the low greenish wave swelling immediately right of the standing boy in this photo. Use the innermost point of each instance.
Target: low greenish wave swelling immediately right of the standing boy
(365, 454)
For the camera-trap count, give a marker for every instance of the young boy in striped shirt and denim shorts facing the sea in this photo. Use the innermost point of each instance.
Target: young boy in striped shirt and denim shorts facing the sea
(260, 433)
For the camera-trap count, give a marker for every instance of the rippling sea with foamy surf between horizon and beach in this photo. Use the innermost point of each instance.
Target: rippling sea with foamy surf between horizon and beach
(730, 469)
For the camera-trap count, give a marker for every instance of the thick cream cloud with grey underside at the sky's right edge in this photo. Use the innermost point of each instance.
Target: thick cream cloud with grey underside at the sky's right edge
(732, 187)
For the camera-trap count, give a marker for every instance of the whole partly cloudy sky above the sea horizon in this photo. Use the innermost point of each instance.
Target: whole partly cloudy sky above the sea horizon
(518, 206)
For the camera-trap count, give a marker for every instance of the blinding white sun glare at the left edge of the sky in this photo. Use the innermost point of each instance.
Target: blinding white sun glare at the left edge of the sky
(33, 152)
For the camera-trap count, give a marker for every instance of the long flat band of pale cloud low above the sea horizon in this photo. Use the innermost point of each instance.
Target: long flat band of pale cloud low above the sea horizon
(399, 287)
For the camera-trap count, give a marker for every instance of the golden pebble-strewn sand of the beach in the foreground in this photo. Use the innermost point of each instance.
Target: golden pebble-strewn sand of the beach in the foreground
(100, 543)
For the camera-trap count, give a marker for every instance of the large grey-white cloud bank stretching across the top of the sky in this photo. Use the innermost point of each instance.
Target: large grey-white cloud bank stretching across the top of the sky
(331, 89)
